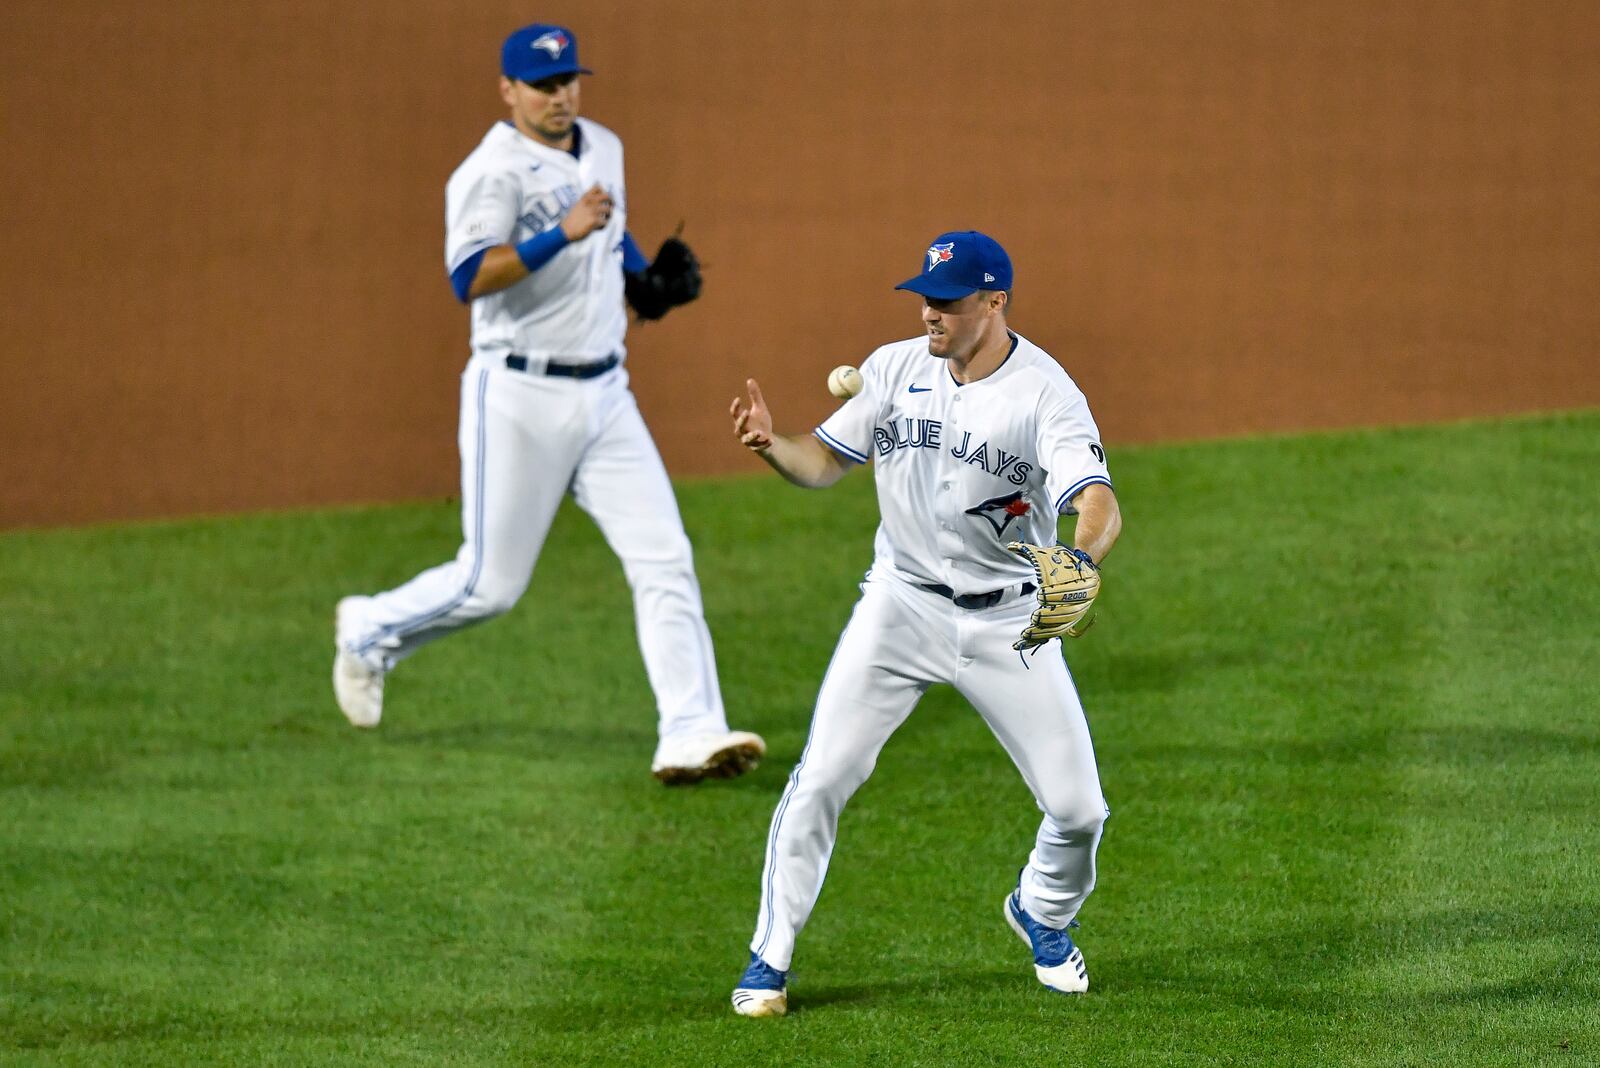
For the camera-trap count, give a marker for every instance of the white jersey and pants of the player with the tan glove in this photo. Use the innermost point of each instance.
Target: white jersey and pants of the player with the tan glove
(961, 472)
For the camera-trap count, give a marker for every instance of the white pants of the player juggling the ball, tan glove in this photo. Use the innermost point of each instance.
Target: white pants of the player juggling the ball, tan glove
(902, 640)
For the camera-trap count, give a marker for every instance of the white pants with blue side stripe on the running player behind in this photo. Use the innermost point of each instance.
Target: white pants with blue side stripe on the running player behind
(526, 442)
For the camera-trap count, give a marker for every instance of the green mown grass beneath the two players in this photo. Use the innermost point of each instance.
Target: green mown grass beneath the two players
(1345, 695)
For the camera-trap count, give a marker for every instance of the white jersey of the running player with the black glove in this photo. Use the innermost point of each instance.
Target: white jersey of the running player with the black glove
(513, 188)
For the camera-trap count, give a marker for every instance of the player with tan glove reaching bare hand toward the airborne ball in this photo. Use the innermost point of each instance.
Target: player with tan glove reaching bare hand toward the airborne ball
(980, 442)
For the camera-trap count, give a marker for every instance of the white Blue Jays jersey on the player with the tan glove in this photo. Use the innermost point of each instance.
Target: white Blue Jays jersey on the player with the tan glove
(966, 469)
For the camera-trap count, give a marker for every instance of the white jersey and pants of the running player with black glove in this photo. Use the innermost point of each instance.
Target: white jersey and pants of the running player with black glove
(530, 439)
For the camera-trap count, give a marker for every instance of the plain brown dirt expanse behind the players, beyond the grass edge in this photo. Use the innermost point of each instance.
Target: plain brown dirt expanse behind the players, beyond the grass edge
(223, 244)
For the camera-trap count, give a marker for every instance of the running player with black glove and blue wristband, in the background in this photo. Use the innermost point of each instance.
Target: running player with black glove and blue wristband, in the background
(537, 242)
